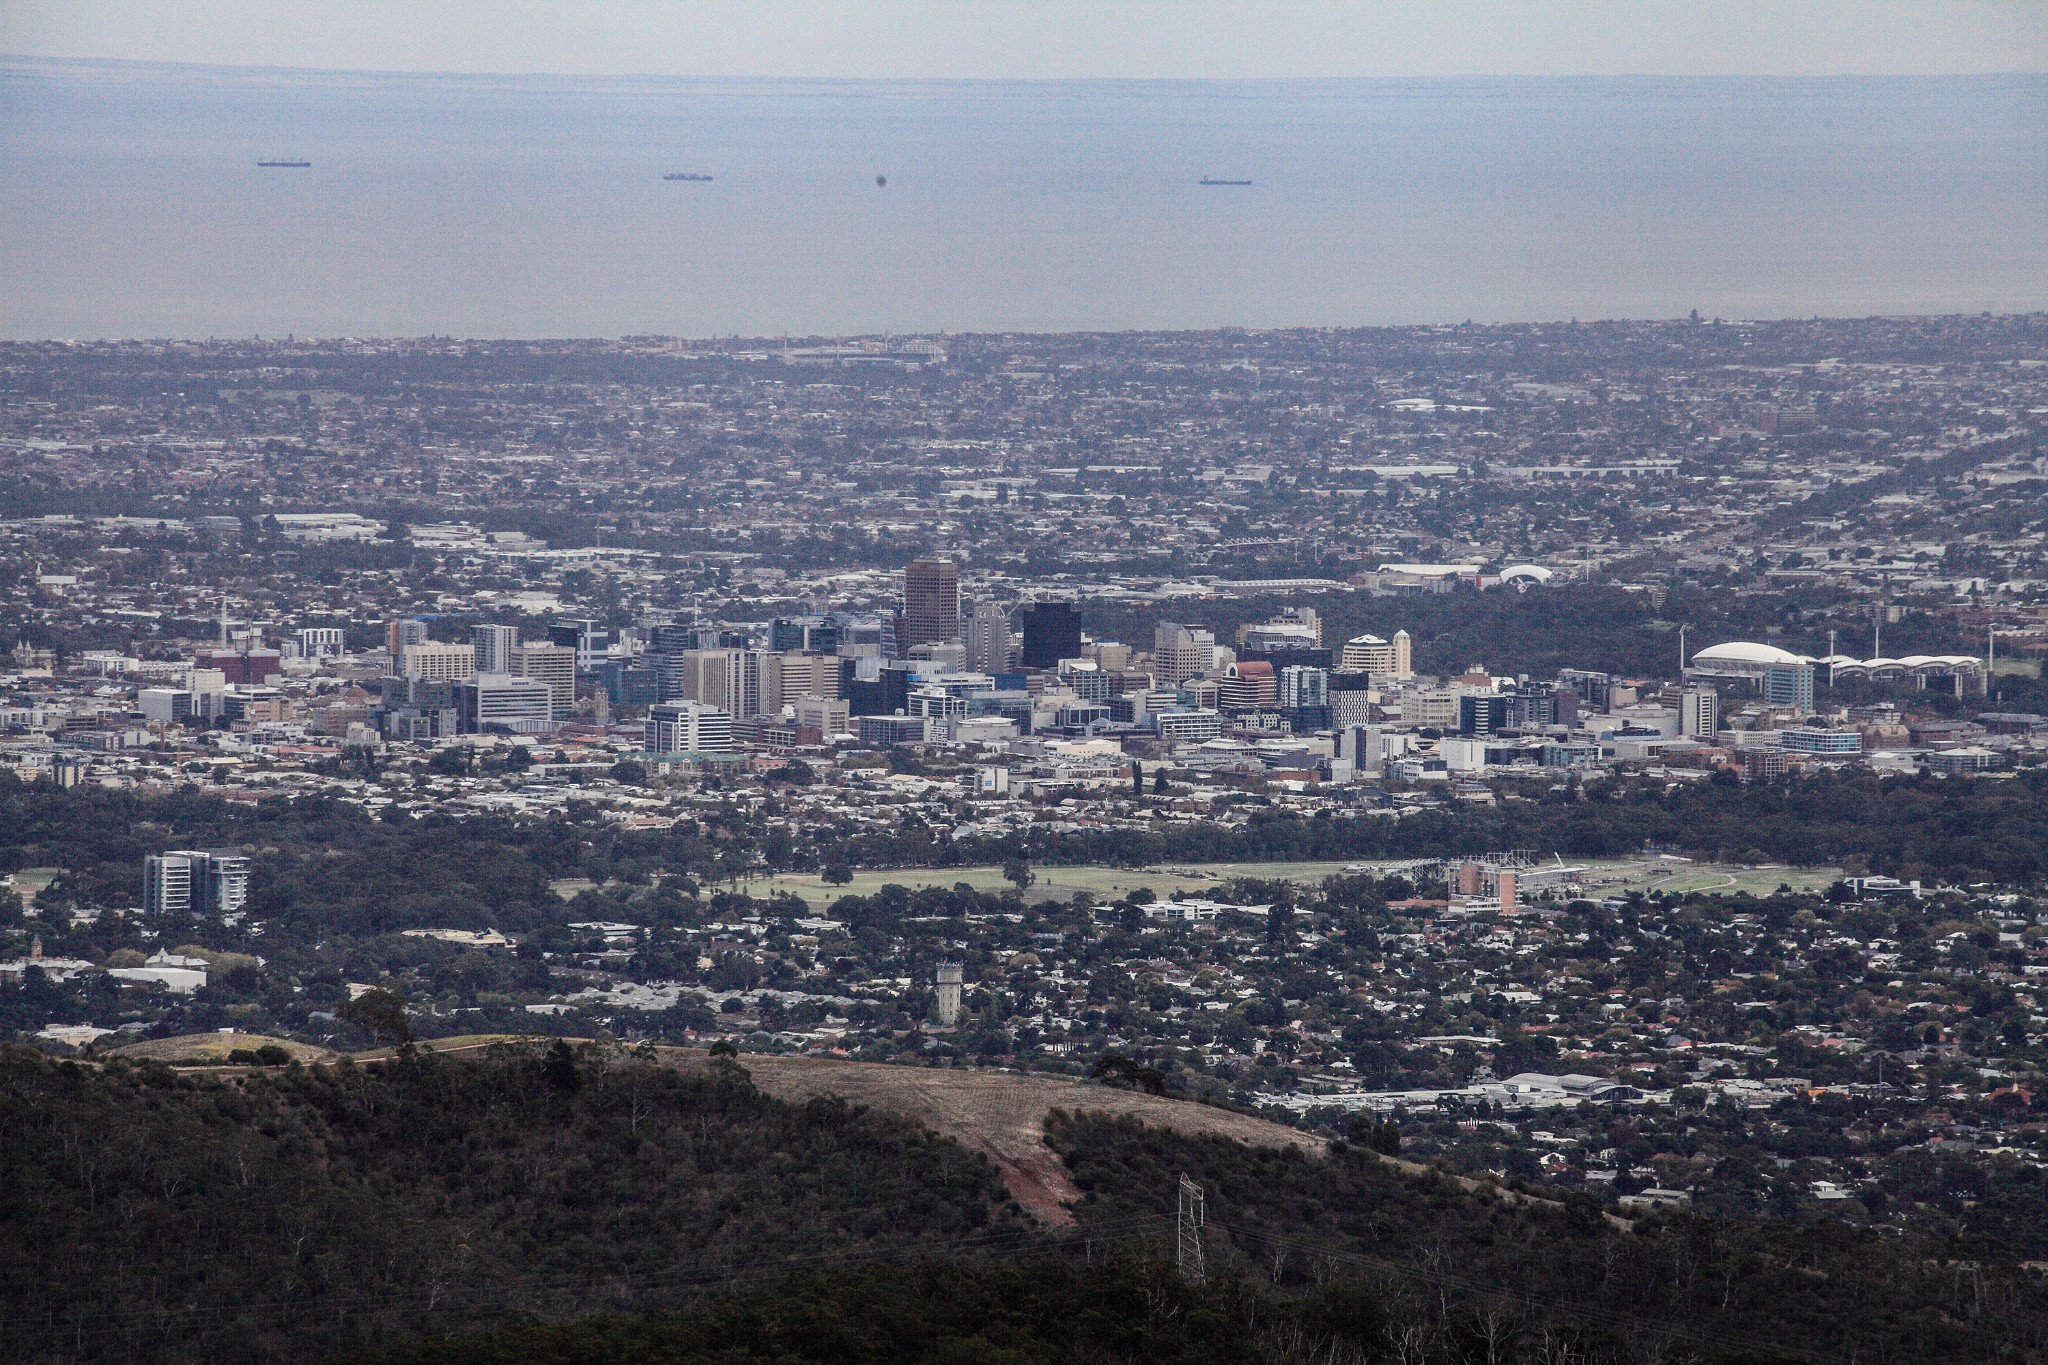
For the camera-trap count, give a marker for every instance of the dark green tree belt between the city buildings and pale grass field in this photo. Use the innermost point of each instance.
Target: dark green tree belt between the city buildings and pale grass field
(329, 869)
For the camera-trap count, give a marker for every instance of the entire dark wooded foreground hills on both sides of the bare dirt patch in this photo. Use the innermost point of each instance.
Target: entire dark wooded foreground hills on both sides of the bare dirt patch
(302, 1213)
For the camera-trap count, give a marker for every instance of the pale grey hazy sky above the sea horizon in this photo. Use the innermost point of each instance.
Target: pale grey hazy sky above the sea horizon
(1054, 38)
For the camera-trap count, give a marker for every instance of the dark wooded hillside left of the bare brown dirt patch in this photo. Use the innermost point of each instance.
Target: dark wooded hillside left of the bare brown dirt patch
(292, 1215)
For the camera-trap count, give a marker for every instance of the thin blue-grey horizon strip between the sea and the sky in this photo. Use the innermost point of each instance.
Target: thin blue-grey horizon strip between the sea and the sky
(1695, 79)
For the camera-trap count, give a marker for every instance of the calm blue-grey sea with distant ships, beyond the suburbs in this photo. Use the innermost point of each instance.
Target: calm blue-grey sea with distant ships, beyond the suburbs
(132, 204)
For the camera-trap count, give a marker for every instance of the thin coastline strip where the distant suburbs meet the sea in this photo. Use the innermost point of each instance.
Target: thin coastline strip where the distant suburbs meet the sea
(794, 339)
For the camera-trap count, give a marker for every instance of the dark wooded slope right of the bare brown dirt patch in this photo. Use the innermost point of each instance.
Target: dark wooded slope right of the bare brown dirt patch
(1818, 1292)
